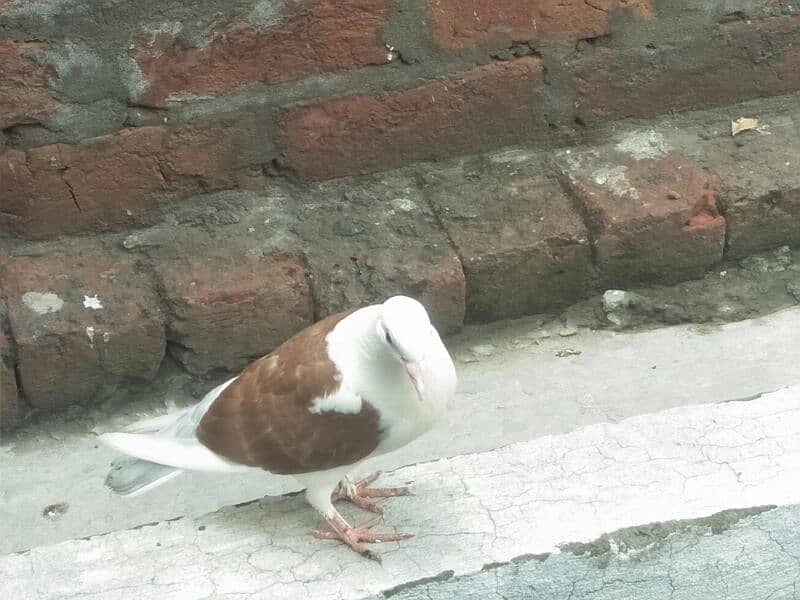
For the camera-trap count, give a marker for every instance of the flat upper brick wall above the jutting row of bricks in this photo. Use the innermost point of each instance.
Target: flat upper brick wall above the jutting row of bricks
(110, 109)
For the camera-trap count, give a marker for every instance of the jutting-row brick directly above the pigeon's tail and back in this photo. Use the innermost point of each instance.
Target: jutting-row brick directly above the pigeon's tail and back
(229, 299)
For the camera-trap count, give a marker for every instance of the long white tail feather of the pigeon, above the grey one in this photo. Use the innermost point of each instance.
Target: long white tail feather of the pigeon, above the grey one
(173, 452)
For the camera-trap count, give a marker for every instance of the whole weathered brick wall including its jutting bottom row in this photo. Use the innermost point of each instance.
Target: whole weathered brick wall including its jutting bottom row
(121, 119)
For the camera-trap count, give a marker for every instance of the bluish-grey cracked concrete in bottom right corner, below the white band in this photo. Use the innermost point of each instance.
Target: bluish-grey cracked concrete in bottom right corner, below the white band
(735, 555)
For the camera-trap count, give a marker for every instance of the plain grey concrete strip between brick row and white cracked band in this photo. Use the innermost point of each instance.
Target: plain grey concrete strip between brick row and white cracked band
(514, 387)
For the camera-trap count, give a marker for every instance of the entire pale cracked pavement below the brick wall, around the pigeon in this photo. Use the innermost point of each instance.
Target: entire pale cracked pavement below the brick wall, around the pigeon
(592, 476)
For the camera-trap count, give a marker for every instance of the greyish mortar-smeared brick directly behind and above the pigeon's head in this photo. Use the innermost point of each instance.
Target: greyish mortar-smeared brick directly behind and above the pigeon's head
(373, 239)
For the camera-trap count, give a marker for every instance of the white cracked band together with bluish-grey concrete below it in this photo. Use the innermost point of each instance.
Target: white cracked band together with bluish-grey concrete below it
(502, 523)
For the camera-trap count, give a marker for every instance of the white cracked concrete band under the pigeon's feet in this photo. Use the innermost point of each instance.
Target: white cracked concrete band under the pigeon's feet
(470, 513)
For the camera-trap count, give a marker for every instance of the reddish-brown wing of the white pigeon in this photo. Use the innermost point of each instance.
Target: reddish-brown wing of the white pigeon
(262, 418)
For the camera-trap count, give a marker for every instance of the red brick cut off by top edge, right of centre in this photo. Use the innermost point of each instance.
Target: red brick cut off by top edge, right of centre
(464, 23)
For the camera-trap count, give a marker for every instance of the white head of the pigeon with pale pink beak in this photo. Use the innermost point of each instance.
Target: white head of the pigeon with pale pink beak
(406, 331)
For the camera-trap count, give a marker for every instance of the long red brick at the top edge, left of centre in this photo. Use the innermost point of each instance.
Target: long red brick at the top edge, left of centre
(318, 37)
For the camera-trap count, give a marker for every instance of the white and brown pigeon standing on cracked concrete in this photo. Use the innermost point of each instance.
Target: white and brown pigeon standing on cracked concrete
(352, 386)
